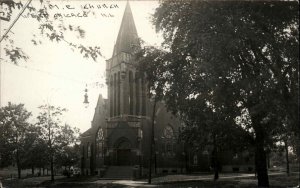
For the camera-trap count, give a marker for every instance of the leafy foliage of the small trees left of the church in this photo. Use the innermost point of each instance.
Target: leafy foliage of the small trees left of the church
(31, 146)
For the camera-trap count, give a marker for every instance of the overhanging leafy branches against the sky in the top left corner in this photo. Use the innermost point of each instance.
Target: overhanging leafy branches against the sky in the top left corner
(53, 29)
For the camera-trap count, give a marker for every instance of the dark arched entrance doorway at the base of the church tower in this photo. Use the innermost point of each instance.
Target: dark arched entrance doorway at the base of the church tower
(123, 152)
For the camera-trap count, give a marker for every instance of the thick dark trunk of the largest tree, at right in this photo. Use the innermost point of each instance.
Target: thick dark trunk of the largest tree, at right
(261, 166)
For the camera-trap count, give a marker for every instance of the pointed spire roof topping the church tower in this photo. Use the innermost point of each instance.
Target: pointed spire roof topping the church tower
(127, 37)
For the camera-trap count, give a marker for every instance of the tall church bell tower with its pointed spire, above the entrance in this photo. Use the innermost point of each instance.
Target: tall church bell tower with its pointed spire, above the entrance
(126, 89)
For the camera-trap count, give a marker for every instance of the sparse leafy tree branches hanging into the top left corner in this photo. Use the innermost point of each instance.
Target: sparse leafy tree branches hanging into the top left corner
(50, 27)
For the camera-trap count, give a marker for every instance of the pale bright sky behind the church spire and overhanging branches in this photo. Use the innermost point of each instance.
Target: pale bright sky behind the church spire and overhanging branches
(56, 74)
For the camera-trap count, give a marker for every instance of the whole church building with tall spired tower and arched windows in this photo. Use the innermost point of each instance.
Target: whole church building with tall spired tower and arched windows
(120, 134)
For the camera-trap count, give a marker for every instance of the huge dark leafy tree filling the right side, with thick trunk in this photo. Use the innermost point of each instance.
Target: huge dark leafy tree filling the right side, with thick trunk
(239, 57)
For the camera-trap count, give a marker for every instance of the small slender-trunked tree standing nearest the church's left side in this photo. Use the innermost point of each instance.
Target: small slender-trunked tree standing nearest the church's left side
(58, 137)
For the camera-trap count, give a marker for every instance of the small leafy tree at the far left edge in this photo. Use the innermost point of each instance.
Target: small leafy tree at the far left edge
(14, 133)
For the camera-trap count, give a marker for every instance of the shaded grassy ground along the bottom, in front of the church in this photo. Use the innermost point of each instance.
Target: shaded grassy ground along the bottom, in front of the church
(276, 181)
